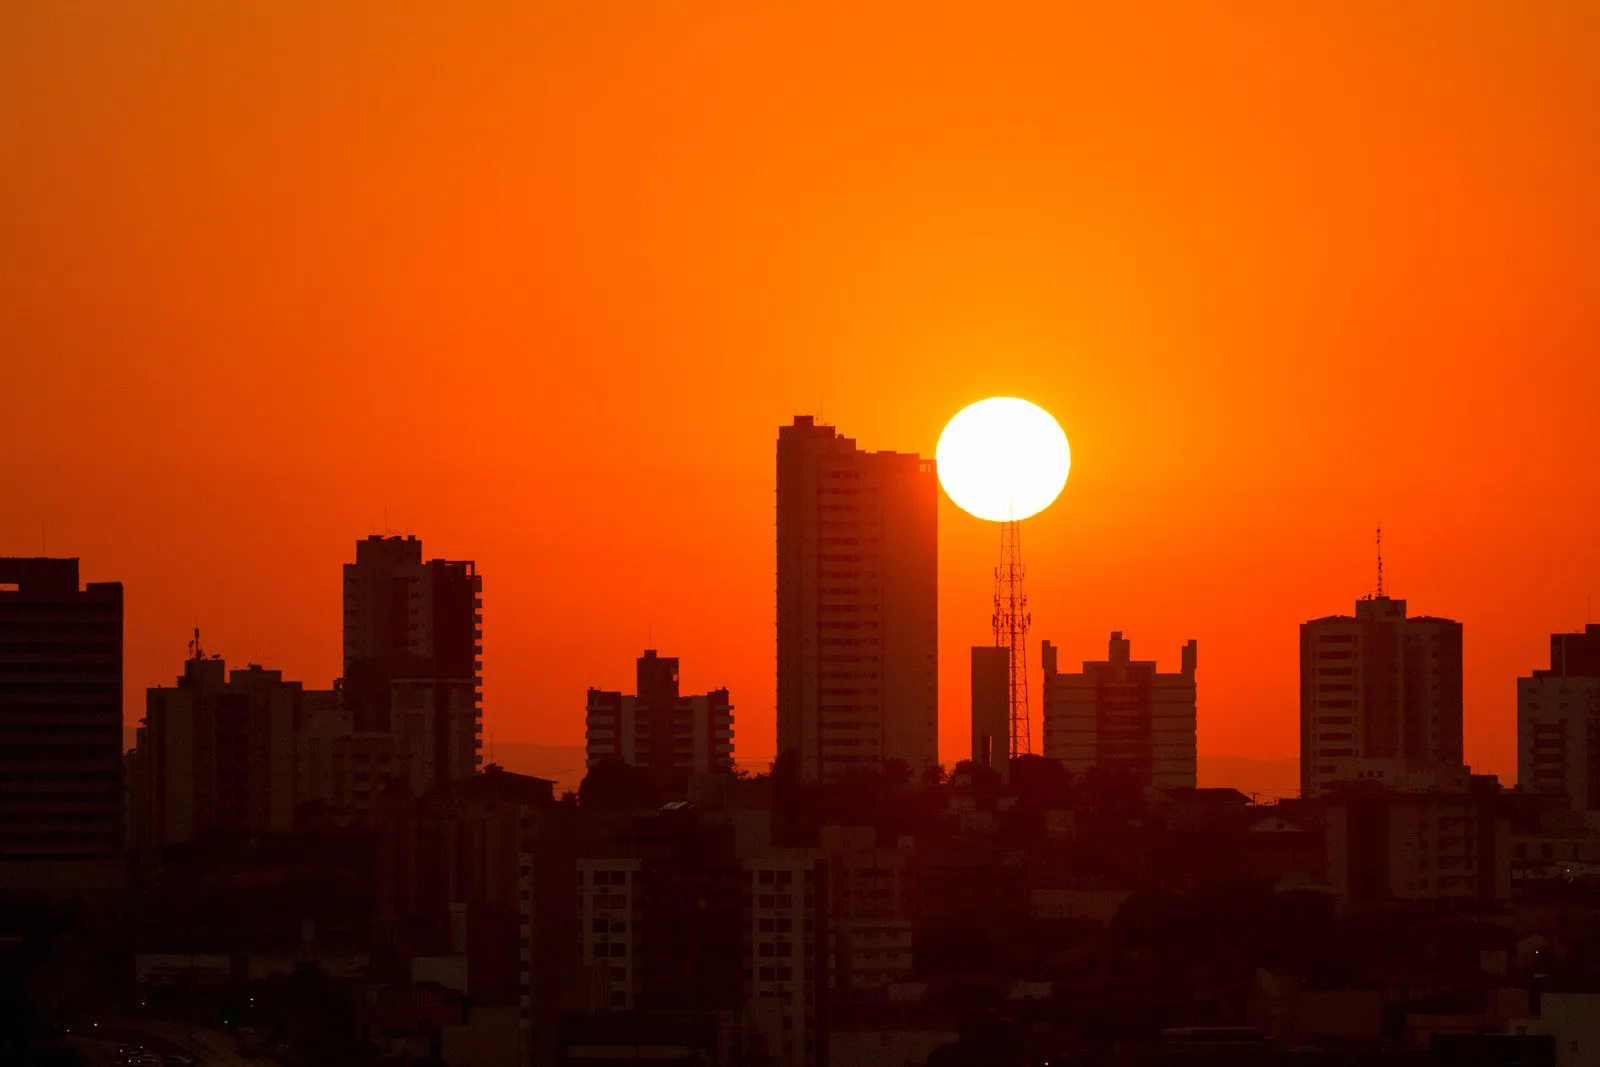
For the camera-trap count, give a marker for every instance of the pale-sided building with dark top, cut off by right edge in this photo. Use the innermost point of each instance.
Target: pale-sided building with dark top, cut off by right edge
(1559, 722)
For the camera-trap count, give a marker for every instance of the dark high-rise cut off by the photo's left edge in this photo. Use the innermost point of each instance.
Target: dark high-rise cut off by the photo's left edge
(62, 762)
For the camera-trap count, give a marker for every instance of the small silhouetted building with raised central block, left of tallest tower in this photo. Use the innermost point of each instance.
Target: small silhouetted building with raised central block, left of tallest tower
(657, 727)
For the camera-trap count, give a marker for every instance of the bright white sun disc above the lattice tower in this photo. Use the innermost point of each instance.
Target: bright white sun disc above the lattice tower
(1004, 460)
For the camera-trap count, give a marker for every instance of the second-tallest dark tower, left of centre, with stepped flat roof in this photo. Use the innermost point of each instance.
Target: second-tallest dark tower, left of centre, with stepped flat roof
(414, 639)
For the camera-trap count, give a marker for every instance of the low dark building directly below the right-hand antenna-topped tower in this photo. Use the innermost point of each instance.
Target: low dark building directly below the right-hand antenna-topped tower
(1385, 845)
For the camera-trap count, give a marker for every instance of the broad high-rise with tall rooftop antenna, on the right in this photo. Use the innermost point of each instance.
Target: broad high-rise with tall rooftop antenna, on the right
(1380, 695)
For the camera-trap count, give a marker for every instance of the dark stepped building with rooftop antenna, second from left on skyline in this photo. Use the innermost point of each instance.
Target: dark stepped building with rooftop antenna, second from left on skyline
(218, 754)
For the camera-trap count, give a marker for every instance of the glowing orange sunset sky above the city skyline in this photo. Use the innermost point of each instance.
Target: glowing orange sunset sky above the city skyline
(542, 282)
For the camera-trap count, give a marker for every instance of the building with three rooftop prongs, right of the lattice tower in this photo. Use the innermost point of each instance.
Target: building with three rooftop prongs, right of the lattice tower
(1124, 714)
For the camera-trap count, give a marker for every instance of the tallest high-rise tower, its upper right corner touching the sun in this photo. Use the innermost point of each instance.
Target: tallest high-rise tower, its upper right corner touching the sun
(858, 589)
